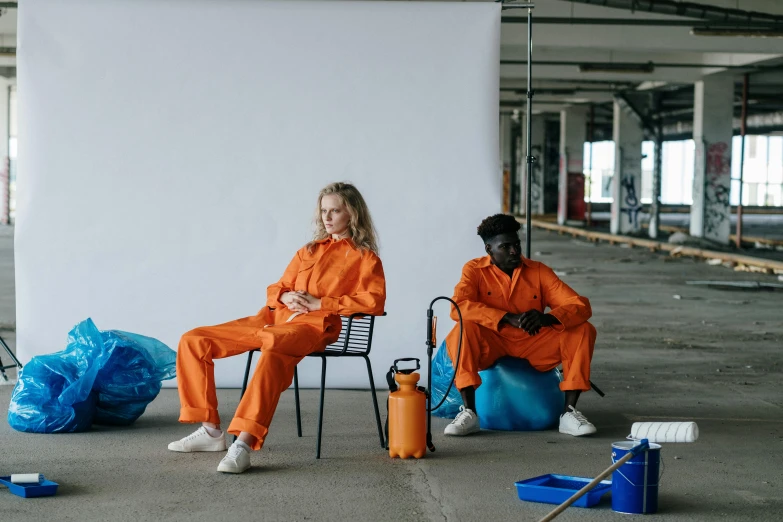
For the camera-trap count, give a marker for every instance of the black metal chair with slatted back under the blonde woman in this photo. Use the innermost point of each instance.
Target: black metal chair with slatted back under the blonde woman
(355, 341)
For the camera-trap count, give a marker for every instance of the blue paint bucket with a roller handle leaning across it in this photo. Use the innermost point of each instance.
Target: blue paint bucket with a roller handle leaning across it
(635, 483)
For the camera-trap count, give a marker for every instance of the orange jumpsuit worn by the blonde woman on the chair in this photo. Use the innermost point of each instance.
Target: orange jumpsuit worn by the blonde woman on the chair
(346, 279)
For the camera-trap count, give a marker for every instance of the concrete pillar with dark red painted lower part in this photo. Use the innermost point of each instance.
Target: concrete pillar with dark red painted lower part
(573, 132)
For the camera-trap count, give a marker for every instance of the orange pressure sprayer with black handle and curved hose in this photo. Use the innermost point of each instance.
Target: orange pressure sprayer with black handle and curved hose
(410, 406)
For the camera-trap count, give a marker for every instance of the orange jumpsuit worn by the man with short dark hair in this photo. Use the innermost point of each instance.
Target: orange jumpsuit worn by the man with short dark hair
(485, 294)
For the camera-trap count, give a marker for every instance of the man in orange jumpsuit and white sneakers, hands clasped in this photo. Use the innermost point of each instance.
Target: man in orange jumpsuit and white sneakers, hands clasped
(503, 298)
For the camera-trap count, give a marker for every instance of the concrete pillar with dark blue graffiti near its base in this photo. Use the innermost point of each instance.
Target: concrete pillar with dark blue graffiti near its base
(627, 178)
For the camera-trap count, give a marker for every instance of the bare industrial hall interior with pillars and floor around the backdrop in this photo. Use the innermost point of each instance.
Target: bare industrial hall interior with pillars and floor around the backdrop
(655, 166)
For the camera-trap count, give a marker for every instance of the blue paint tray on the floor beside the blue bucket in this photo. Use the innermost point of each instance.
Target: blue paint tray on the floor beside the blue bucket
(556, 489)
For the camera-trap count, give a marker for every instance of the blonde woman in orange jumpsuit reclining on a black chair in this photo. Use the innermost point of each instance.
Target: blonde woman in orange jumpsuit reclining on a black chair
(338, 273)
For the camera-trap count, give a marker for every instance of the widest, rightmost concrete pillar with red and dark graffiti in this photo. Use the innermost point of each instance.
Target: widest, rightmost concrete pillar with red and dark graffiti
(712, 133)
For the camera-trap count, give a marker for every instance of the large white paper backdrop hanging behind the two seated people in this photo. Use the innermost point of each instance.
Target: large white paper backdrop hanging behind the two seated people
(170, 154)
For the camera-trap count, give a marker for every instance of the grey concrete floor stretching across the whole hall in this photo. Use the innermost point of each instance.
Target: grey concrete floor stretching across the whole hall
(712, 356)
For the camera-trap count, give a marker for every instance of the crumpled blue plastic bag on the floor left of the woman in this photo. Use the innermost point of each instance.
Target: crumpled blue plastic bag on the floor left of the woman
(101, 377)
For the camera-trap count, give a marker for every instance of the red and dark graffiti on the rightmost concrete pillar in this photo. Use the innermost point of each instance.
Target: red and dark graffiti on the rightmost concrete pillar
(716, 188)
